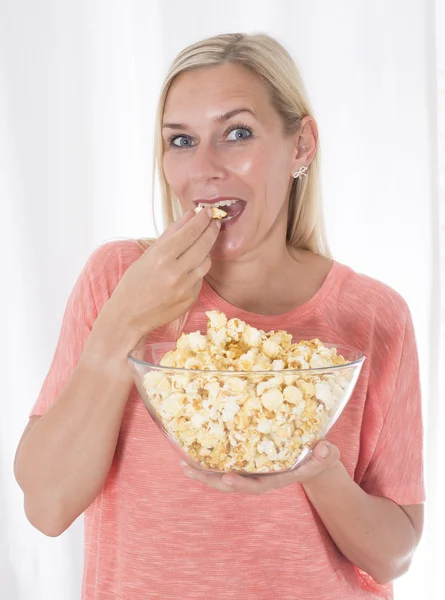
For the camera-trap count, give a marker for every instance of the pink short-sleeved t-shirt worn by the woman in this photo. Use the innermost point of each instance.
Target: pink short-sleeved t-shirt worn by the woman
(153, 534)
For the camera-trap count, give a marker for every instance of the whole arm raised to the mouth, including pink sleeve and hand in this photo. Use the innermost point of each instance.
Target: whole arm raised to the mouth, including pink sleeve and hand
(63, 458)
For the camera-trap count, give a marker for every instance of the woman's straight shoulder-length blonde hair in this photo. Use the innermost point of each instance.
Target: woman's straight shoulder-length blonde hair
(271, 62)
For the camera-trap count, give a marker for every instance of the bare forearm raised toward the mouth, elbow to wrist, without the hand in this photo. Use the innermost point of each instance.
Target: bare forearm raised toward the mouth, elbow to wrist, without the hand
(63, 461)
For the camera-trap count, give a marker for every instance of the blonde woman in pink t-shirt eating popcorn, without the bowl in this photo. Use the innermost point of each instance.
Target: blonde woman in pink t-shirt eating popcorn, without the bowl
(233, 124)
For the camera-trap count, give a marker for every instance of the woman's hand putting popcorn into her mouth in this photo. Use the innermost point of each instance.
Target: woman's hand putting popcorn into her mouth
(163, 284)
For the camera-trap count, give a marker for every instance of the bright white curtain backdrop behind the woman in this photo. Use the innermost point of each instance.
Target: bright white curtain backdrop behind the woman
(78, 84)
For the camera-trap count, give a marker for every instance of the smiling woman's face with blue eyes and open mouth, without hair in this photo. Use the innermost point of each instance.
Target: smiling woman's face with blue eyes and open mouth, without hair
(224, 142)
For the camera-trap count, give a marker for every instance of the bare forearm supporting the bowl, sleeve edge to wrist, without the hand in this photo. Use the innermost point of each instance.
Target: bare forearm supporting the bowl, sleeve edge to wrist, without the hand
(372, 532)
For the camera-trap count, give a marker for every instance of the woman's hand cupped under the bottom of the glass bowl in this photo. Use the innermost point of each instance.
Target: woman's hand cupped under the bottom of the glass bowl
(319, 462)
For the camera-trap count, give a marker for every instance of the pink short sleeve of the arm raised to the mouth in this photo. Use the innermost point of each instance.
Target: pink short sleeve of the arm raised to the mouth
(91, 291)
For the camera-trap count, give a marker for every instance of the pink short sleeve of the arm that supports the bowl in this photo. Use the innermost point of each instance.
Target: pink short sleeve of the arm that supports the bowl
(395, 470)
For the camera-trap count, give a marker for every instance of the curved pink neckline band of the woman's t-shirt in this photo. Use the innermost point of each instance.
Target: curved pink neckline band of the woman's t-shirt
(320, 296)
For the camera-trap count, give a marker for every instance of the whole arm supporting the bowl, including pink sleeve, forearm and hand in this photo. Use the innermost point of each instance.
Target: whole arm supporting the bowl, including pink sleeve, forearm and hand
(375, 533)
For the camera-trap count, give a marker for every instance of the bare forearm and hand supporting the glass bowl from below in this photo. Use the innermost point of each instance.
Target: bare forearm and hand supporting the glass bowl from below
(372, 532)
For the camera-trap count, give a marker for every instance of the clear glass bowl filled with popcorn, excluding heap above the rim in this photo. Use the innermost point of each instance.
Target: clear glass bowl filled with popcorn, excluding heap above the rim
(212, 417)
